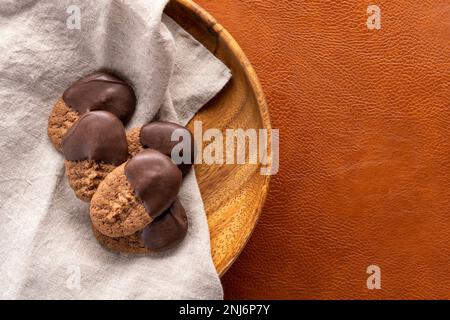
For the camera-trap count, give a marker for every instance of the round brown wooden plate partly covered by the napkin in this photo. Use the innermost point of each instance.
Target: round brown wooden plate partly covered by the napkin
(233, 194)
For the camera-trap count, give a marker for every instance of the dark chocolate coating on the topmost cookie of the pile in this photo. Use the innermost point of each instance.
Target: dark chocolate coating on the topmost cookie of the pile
(101, 91)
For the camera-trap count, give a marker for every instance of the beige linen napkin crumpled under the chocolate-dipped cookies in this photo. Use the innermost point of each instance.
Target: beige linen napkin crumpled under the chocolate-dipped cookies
(47, 248)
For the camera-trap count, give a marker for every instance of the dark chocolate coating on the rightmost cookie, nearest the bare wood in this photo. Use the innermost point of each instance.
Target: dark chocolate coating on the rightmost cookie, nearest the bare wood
(158, 135)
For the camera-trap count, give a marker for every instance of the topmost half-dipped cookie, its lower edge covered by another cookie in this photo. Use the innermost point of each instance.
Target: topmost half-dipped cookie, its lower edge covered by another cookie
(97, 91)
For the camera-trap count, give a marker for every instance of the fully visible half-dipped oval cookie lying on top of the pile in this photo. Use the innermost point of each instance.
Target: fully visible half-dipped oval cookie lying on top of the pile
(134, 194)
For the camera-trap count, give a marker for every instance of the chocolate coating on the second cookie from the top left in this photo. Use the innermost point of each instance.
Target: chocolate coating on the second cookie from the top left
(96, 135)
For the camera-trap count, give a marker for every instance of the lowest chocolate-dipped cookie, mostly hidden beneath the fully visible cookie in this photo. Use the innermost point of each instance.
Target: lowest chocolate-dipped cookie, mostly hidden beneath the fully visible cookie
(161, 234)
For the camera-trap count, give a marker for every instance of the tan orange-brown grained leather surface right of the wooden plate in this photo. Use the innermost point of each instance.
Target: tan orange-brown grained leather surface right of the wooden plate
(364, 119)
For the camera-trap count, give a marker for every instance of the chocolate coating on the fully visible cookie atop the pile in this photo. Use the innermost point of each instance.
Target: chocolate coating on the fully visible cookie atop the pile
(154, 179)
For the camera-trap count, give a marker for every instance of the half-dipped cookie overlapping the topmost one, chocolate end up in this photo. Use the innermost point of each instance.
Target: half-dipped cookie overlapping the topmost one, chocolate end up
(94, 145)
